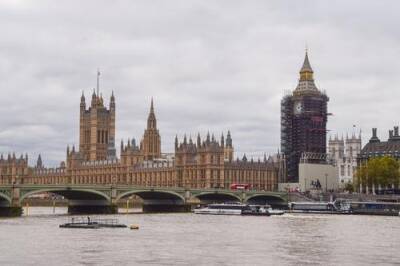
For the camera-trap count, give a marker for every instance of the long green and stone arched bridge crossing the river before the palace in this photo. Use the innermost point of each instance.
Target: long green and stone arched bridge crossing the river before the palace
(104, 198)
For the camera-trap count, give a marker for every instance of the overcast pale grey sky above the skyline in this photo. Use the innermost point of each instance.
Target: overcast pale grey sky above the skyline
(210, 65)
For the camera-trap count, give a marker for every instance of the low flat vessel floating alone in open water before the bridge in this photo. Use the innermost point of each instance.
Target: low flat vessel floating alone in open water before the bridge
(90, 223)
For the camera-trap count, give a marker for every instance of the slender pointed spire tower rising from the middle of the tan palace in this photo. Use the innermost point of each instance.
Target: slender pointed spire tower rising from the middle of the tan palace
(151, 143)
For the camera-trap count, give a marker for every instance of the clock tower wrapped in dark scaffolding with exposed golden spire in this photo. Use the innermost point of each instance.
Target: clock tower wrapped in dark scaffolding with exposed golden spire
(303, 121)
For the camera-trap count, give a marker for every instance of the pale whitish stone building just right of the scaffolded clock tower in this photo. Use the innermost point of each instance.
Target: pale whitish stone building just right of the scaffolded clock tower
(345, 152)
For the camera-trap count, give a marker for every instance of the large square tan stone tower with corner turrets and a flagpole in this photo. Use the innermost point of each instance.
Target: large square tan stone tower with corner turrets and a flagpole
(97, 128)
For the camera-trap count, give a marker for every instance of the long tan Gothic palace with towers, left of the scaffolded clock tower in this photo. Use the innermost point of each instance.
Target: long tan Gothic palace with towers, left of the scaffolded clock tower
(206, 162)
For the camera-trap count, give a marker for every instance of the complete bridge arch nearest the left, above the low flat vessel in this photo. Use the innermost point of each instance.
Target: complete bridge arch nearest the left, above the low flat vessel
(71, 193)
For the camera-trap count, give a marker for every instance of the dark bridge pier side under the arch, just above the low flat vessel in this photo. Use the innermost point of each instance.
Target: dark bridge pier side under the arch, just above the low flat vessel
(91, 207)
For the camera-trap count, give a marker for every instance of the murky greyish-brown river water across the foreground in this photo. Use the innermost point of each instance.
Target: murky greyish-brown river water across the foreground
(189, 239)
